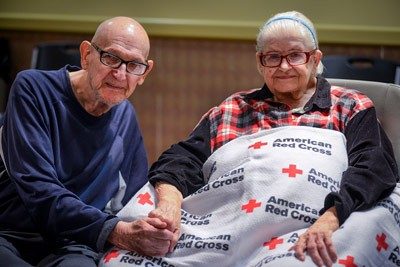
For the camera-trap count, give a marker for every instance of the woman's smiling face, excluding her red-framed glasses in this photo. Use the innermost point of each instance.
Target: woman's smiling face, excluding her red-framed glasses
(285, 78)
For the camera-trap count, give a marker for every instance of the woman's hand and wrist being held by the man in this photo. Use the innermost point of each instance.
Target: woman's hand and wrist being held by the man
(169, 210)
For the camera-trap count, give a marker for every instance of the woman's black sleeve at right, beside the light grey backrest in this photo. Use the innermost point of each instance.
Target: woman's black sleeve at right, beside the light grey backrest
(372, 172)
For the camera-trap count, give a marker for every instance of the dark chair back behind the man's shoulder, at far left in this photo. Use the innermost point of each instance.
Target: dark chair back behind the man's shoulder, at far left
(52, 56)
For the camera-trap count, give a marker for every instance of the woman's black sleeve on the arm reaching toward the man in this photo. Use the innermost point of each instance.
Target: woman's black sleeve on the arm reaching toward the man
(181, 164)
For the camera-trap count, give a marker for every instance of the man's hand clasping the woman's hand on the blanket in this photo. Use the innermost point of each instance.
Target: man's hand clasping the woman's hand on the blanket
(148, 236)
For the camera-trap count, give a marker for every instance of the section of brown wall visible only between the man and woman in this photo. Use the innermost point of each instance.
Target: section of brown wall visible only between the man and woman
(190, 76)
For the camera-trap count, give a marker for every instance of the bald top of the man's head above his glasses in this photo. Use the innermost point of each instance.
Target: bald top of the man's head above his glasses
(122, 29)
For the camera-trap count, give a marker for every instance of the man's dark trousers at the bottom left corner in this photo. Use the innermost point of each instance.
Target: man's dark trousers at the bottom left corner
(29, 249)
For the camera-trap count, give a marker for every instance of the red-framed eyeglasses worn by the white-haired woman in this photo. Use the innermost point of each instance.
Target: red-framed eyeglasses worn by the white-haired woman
(272, 60)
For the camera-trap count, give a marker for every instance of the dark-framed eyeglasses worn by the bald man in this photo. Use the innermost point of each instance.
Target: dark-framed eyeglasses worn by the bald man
(115, 62)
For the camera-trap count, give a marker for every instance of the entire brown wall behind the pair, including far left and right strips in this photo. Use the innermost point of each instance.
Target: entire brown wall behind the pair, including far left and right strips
(190, 76)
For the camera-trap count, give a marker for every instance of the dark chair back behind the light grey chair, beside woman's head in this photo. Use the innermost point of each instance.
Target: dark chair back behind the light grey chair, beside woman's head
(360, 68)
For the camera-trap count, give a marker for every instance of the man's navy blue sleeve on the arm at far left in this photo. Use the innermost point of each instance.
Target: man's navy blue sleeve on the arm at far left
(27, 146)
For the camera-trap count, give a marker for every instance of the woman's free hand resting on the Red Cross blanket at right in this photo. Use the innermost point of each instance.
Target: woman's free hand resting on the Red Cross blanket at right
(317, 240)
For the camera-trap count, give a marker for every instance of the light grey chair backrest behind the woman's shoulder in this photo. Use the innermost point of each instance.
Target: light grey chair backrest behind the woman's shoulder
(386, 98)
